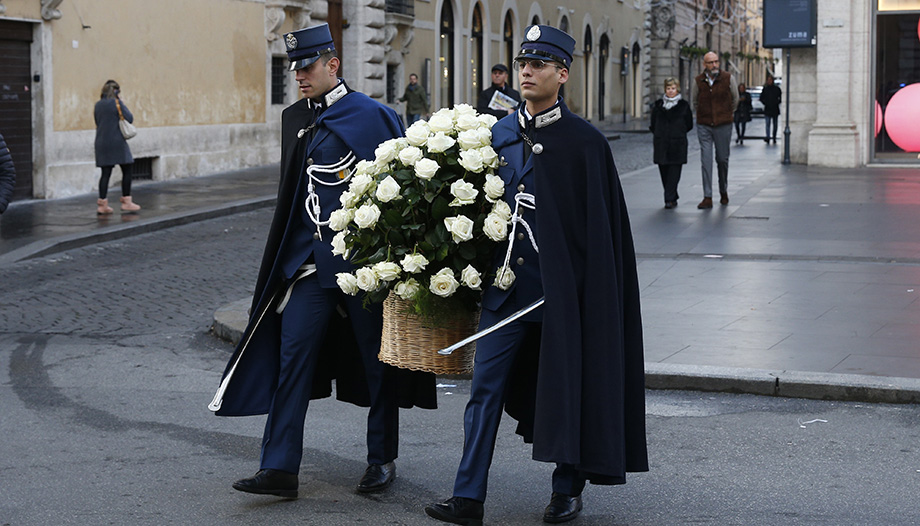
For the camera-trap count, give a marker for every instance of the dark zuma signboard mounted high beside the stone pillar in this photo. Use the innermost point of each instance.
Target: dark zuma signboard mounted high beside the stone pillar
(790, 23)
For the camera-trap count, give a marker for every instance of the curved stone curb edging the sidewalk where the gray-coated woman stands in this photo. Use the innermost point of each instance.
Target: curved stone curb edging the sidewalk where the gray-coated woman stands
(143, 226)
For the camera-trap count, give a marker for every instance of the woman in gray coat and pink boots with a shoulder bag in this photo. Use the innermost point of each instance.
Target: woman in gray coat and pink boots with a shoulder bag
(112, 148)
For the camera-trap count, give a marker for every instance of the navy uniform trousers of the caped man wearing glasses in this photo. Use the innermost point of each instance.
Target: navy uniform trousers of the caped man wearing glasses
(495, 355)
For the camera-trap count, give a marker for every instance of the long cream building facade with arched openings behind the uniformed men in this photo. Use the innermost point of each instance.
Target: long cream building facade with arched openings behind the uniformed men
(207, 79)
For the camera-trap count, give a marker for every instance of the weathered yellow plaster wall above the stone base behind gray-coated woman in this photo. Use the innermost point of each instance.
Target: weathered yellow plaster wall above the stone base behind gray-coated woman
(179, 62)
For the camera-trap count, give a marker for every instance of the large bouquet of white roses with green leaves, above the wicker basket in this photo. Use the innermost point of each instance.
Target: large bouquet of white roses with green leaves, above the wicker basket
(423, 218)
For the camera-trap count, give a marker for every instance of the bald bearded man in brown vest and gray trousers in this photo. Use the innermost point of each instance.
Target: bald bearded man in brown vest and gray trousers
(714, 93)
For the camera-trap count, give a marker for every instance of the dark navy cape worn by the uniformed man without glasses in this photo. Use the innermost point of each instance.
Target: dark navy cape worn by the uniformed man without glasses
(362, 124)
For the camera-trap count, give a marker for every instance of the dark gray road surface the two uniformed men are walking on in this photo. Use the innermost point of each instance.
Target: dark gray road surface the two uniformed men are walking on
(106, 368)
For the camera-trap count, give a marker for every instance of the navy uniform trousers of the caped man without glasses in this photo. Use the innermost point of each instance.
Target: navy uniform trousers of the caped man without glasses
(303, 329)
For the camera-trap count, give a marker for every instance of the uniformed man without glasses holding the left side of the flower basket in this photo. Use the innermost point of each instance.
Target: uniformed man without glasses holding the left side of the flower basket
(297, 340)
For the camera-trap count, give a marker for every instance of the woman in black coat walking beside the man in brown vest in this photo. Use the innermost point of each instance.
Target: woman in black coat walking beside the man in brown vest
(671, 120)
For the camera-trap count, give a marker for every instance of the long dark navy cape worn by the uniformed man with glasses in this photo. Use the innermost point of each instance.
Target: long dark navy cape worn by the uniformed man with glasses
(579, 394)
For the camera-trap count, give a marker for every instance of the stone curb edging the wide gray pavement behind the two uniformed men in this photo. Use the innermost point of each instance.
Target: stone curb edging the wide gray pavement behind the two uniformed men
(230, 322)
